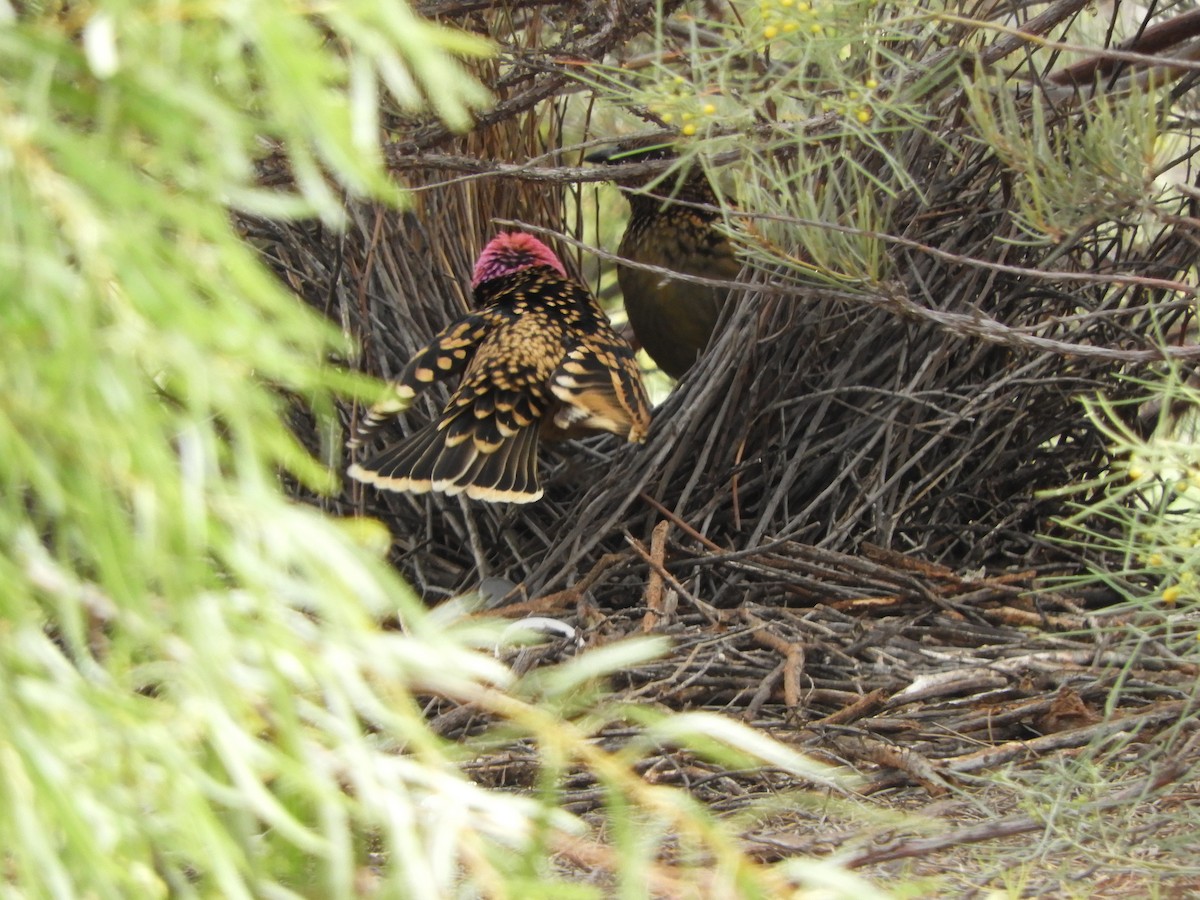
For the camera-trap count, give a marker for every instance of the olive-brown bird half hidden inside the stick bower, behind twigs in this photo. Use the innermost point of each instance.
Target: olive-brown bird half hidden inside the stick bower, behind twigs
(673, 320)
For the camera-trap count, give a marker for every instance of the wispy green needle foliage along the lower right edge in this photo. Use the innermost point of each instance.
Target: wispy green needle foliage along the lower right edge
(1137, 524)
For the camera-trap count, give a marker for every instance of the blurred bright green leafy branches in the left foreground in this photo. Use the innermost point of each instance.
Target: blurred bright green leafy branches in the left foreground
(197, 694)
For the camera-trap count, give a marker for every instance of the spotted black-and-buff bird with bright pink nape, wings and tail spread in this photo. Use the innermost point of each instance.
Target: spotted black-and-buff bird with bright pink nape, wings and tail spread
(538, 358)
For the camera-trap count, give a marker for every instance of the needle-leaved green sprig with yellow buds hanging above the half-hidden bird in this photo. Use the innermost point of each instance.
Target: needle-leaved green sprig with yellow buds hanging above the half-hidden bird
(826, 91)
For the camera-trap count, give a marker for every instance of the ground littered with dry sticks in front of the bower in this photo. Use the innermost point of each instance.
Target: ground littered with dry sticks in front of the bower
(1007, 742)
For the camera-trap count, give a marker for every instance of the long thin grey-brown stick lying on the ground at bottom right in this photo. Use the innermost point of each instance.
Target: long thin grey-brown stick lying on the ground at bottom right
(1169, 772)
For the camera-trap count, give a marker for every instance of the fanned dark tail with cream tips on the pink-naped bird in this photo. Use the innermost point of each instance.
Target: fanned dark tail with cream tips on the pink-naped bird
(437, 459)
